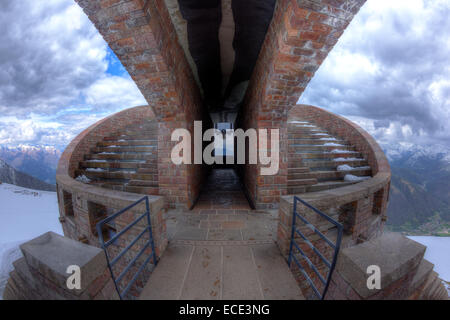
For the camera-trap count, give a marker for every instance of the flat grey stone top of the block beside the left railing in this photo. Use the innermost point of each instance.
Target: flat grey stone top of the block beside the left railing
(51, 254)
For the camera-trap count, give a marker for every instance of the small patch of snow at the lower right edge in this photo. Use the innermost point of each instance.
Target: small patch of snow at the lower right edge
(438, 253)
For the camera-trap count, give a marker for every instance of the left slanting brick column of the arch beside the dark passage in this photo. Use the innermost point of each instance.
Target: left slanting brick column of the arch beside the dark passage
(143, 37)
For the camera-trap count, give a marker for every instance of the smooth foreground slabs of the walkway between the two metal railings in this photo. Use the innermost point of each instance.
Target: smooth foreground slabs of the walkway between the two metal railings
(222, 271)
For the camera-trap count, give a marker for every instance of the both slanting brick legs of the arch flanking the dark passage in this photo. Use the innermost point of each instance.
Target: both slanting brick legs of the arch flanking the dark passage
(142, 35)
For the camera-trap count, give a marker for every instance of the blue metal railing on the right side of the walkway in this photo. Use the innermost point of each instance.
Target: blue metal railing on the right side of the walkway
(330, 265)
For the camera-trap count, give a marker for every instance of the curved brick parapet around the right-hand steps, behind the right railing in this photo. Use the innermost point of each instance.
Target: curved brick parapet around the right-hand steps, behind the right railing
(360, 207)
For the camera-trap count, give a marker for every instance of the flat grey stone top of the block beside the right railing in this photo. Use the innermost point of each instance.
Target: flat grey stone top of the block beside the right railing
(395, 254)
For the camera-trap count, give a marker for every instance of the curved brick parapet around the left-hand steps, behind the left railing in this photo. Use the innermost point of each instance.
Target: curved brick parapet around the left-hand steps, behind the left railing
(82, 205)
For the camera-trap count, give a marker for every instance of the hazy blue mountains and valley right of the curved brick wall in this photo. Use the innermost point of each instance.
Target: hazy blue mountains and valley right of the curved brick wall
(420, 189)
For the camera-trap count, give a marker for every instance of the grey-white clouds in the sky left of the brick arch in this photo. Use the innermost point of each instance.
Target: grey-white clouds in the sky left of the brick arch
(53, 73)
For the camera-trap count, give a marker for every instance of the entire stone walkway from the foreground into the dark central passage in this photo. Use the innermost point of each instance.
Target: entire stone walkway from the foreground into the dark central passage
(222, 250)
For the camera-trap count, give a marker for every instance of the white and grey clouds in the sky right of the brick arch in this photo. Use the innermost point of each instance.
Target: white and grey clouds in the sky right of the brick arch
(390, 72)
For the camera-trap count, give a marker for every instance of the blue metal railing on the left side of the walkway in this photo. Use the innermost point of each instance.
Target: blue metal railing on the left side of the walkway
(114, 238)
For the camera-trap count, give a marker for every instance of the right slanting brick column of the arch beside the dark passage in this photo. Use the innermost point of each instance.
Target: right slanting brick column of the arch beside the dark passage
(300, 37)
